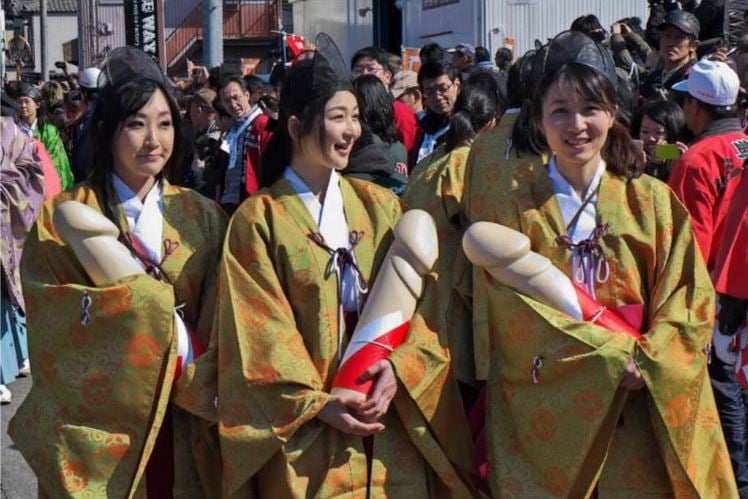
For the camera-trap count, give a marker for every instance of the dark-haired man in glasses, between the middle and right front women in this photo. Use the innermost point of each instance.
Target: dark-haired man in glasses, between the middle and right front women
(439, 86)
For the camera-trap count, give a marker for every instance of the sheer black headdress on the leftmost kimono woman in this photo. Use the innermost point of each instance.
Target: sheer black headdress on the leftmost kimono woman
(126, 64)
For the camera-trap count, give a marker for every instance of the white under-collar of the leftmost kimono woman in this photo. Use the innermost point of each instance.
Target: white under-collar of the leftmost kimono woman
(144, 218)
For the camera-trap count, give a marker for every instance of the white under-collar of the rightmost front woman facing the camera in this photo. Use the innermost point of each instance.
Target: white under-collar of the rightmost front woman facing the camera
(570, 202)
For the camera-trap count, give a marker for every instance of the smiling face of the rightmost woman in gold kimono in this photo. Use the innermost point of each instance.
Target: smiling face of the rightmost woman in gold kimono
(575, 129)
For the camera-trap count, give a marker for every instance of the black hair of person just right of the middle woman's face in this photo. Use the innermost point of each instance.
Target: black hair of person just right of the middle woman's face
(375, 108)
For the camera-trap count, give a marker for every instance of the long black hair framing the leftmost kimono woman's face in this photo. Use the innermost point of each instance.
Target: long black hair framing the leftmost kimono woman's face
(114, 105)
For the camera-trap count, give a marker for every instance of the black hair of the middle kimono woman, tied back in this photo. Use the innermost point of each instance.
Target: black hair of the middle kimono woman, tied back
(305, 100)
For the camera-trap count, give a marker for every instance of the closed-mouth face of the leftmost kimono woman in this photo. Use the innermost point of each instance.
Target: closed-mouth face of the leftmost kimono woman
(144, 142)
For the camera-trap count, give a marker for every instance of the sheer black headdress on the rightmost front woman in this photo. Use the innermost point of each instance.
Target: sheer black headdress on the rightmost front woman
(574, 47)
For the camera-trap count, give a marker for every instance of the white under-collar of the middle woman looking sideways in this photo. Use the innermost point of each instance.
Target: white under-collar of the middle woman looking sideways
(330, 216)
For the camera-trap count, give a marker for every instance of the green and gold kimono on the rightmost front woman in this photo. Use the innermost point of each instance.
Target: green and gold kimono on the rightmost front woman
(574, 428)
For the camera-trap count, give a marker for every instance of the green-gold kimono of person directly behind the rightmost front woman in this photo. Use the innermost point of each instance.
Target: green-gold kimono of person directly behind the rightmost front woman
(493, 170)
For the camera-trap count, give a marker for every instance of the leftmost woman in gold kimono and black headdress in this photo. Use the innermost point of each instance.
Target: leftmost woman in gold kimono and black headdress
(98, 421)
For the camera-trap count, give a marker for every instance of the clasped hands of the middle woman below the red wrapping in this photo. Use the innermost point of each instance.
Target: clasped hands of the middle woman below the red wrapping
(348, 414)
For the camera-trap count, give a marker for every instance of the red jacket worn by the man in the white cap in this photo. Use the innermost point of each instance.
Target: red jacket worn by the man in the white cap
(705, 178)
